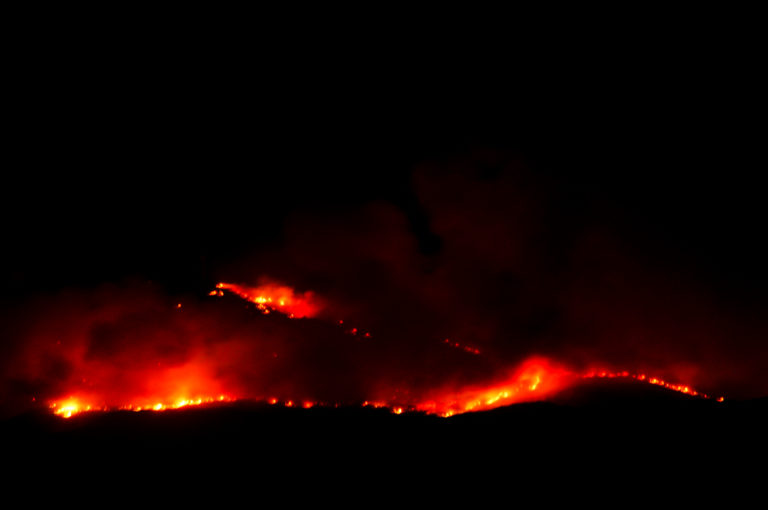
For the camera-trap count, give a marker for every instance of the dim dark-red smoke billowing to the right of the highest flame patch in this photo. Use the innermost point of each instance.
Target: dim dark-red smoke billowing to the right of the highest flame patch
(521, 270)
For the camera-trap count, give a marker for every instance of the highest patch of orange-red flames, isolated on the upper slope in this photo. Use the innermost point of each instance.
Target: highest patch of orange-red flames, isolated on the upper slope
(275, 297)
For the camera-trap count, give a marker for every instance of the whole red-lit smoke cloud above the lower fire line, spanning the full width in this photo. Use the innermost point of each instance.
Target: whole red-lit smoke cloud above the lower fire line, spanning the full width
(516, 273)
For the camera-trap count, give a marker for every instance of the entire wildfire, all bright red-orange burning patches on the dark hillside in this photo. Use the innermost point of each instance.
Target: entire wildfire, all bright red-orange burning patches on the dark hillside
(172, 388)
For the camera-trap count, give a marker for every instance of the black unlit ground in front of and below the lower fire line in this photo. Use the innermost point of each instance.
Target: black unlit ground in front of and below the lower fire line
(598, 435)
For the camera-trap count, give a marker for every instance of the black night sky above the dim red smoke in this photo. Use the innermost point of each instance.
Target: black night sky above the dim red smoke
(126, 164)
